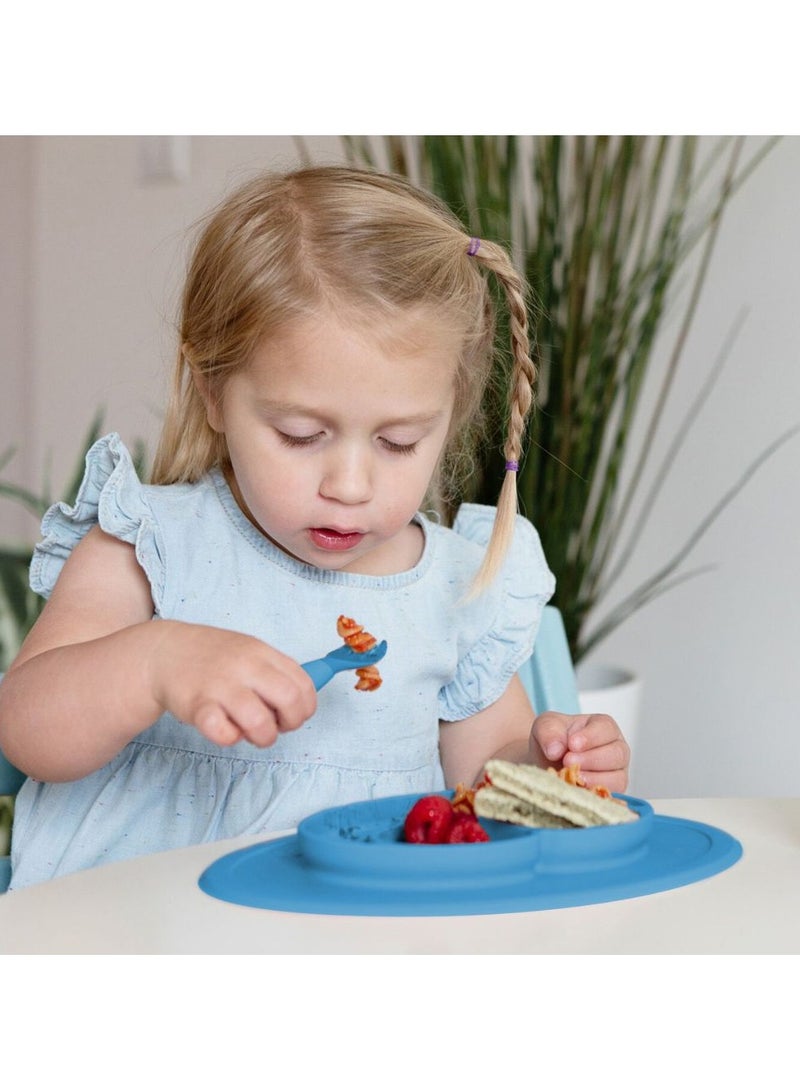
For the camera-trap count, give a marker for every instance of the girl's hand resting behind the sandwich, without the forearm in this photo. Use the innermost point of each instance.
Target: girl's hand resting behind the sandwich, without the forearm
(594, 742)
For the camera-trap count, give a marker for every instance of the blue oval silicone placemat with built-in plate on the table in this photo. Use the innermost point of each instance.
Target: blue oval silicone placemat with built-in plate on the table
(351, 861)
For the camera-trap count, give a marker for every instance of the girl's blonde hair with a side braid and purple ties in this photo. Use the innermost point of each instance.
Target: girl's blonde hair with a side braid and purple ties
(283, 246)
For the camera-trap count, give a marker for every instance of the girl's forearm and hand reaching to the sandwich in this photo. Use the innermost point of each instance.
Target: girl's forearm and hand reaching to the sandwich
(510, 730)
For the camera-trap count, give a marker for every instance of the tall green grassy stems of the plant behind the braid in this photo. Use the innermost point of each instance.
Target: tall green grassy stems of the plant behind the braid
(602, 229)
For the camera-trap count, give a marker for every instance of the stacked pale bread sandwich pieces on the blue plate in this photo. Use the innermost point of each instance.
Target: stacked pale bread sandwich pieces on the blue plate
(527, 796)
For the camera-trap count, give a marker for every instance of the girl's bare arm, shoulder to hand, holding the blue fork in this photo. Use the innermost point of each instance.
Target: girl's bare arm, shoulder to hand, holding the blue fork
(97, 670)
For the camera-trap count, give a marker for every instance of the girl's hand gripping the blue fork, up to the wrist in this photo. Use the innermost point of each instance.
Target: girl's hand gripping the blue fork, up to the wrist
(229, 686)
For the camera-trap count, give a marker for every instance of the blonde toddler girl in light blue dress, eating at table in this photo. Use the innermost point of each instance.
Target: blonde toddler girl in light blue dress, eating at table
(336, 346)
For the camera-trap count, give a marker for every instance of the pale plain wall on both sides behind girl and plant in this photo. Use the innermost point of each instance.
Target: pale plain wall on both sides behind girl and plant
(100, 256)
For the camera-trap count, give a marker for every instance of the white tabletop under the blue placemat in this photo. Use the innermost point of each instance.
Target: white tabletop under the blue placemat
(152, 905)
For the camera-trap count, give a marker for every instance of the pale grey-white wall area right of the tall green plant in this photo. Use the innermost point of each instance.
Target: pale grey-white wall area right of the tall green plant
(720, 655)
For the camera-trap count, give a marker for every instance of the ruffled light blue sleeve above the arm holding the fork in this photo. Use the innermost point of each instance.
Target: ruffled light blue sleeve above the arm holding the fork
(113, 498)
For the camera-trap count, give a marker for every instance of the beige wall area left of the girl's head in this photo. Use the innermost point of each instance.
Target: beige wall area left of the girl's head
(105, 249)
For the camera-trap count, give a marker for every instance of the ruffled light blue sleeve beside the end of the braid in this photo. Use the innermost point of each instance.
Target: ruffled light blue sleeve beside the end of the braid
(511, 612)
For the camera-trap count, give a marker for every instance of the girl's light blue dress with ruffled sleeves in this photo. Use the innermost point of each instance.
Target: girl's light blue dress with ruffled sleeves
(448, 660)
